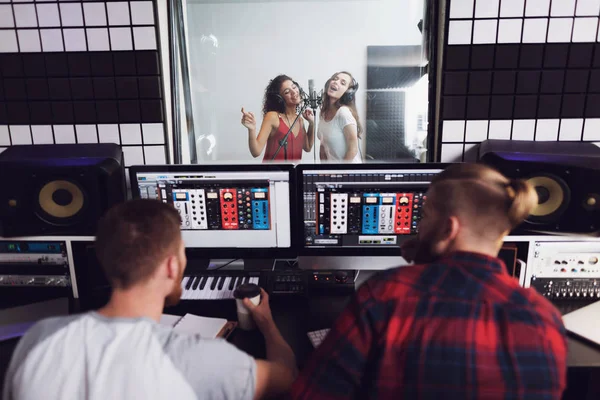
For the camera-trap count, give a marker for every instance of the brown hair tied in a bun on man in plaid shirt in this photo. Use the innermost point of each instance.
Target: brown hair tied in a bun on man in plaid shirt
(490, 202)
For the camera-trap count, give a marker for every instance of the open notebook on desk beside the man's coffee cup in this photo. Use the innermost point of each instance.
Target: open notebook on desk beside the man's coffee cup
(206, 327)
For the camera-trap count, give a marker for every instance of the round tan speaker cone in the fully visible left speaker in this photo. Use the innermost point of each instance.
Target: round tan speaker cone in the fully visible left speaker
(60, 201)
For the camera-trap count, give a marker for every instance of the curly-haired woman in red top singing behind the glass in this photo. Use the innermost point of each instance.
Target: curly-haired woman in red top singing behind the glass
(280, 108)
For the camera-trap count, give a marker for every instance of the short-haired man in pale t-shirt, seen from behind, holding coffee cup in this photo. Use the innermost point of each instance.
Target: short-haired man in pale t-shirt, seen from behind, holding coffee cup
(121, 352)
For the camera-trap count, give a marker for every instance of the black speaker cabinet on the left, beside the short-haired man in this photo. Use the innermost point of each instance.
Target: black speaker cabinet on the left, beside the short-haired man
(58, 189)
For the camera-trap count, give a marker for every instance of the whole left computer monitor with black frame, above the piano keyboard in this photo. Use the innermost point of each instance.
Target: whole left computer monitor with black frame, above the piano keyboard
(227, 211)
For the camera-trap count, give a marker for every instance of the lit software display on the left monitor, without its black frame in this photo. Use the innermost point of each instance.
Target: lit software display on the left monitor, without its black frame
(226, 208)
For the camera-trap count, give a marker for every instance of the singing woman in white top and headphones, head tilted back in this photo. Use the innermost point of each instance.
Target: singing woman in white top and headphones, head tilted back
(339, 128)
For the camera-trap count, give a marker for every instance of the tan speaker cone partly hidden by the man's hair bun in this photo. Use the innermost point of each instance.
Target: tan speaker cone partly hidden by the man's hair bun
(553, 198)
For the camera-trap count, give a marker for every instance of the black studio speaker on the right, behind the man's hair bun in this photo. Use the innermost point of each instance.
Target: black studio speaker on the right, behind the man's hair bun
(566, 176)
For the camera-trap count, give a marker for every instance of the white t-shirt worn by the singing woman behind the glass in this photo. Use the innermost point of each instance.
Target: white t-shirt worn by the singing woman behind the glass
(331, 135)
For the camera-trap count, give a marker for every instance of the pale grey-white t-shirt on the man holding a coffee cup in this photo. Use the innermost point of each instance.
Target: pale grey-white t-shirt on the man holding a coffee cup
(90, 356)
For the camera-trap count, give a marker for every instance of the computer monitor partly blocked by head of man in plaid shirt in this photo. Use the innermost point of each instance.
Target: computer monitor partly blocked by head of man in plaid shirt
(350, 208)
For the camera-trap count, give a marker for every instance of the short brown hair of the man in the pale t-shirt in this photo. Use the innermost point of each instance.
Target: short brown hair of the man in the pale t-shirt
(133, 238)
